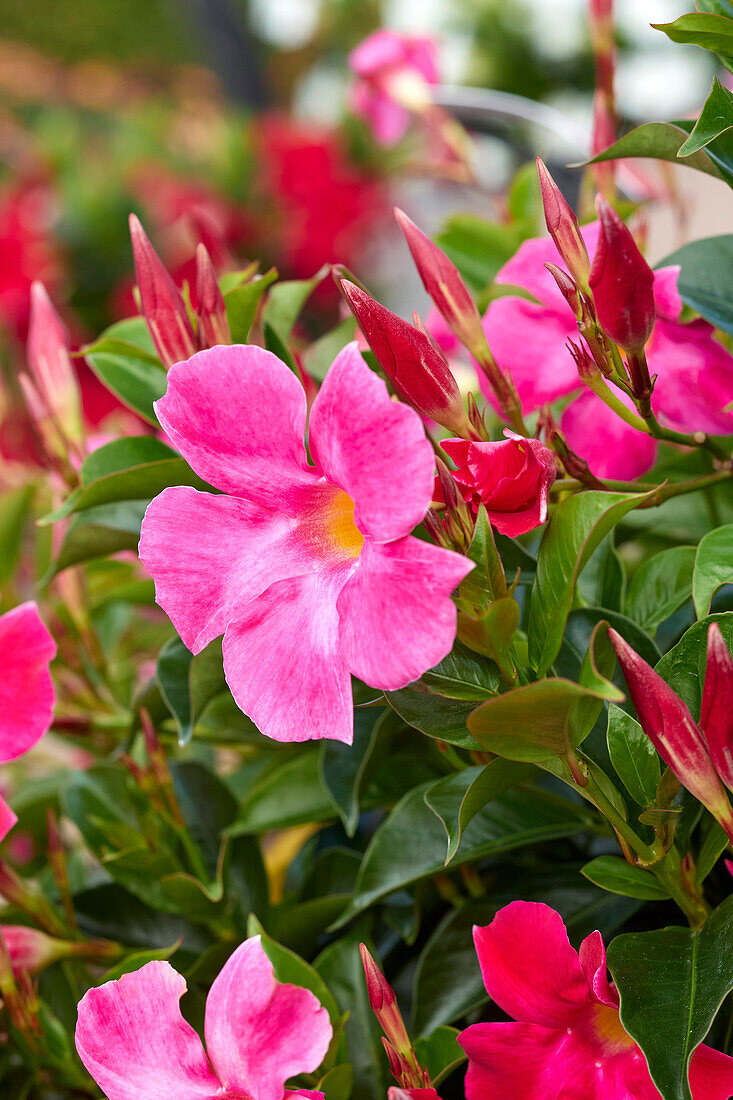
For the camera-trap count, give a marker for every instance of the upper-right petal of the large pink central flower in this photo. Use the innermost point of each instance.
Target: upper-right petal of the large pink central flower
(374, 448)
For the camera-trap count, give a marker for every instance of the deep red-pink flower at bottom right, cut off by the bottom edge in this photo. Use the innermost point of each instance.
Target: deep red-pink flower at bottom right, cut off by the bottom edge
(568, 1040)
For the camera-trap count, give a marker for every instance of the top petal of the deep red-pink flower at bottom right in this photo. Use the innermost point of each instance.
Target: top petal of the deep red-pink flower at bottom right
(529, 967)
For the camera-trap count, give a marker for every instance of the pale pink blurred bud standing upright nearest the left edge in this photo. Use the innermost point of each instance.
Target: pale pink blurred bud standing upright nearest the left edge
(51, 367)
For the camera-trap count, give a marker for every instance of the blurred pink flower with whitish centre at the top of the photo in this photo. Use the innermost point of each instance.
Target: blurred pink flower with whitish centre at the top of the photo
(393, 73)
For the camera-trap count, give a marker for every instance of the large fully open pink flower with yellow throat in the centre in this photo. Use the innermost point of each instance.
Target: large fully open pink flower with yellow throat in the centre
(309, 571)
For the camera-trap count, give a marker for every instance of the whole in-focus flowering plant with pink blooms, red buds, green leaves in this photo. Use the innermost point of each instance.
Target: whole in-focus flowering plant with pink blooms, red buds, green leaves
(376, 709)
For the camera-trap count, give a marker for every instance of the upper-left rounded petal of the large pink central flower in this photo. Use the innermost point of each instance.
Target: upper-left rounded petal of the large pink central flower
(238, 417)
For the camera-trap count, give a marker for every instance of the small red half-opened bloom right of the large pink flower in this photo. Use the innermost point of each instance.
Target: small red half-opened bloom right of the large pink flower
(511, 479)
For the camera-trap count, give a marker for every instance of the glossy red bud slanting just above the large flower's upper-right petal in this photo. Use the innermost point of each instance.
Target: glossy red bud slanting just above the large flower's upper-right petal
(411, 362)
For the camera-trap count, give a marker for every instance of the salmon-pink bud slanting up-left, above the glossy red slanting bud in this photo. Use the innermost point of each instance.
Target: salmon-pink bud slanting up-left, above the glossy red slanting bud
(444, 284)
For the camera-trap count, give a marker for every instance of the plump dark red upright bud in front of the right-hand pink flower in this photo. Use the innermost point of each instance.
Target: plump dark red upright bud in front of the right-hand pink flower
(622, 283)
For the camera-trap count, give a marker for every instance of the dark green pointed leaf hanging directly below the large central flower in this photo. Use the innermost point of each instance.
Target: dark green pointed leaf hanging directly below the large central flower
(344, 768)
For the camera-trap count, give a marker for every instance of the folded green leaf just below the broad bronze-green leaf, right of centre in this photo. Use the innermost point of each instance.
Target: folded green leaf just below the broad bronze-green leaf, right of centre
(458, 798)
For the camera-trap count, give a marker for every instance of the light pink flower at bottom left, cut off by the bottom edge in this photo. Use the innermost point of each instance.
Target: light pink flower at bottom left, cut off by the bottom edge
(259, 1032)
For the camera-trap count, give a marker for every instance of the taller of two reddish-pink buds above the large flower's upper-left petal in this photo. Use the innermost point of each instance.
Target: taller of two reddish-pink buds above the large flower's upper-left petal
(161, 303)
